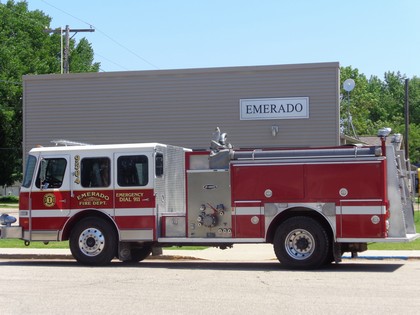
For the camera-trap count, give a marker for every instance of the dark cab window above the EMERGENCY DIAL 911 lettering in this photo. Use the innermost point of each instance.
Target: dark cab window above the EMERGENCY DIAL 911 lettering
(133, 170)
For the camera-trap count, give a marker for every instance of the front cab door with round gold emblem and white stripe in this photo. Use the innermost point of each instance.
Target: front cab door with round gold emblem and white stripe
(50, 197)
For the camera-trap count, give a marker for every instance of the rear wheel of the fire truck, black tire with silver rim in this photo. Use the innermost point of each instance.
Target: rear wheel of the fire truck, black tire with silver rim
(301, 243)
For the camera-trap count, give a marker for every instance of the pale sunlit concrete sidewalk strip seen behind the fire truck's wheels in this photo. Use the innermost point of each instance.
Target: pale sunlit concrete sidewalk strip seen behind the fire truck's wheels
(239, 252)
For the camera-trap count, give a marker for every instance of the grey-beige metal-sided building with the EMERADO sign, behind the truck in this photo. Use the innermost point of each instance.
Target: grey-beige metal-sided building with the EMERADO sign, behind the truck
(261, 106)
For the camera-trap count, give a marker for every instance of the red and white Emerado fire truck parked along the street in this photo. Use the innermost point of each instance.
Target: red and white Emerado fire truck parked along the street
(312, 204)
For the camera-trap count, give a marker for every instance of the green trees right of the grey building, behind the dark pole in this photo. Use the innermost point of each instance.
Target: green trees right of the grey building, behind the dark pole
(377, 103)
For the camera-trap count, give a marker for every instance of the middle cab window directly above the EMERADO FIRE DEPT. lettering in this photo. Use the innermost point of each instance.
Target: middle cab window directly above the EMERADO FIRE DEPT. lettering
(95, 172)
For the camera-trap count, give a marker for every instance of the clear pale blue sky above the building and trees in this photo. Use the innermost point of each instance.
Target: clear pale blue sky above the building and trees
(374, 36)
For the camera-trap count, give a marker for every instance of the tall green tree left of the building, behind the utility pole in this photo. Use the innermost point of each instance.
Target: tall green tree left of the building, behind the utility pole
(27, 49)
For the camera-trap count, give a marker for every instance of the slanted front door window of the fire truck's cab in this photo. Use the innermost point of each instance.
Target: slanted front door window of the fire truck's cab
(51, 173)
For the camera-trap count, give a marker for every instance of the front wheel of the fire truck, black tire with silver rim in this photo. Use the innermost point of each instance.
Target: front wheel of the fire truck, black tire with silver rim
(93, 242)
